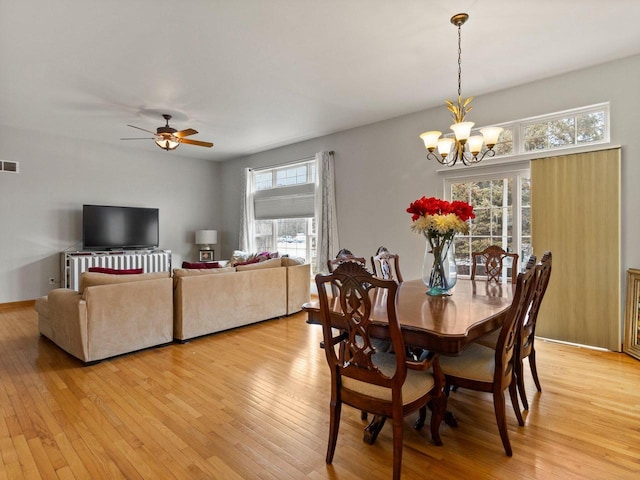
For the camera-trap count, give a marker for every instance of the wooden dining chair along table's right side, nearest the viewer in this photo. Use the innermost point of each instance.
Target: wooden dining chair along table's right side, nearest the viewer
(484, 369)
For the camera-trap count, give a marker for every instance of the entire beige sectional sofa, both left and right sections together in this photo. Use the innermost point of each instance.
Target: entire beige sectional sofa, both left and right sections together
(117, 314)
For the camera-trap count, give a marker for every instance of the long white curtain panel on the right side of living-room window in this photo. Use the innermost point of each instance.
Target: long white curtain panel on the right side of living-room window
(325, 211)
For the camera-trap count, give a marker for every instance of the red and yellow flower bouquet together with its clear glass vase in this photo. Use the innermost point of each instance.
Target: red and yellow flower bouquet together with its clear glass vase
(439, 221)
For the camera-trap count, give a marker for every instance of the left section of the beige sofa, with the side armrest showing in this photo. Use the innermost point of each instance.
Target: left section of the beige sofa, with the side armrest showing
(111, 315)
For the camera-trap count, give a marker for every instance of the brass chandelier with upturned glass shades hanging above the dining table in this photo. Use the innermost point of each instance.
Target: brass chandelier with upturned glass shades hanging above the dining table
(464, 147)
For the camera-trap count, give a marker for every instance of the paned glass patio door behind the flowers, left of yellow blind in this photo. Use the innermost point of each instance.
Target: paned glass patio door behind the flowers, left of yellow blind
(502, 206)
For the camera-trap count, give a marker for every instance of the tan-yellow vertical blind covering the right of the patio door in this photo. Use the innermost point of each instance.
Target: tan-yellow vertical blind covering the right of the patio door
(575, 213)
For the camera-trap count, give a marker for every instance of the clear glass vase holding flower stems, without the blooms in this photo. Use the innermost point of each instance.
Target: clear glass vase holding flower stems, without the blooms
(439, 271)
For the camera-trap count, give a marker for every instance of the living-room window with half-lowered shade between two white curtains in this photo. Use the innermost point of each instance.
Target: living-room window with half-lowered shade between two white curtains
(284, 204)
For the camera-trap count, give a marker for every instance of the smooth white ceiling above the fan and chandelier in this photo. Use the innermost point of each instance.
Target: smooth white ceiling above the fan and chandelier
(252, 75)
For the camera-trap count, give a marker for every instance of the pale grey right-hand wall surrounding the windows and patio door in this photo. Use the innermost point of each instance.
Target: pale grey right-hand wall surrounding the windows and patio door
(381, 167)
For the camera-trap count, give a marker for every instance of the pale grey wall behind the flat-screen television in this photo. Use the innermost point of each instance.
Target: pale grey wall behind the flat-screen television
(41, 207)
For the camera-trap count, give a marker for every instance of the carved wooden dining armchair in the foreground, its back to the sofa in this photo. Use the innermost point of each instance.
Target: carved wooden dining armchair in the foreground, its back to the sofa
(385, 384)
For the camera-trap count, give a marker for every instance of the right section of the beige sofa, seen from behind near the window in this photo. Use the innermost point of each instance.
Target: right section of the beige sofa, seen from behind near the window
(212, 300)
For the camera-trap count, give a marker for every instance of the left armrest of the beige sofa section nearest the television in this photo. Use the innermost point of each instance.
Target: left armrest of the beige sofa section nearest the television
(68, 322)
